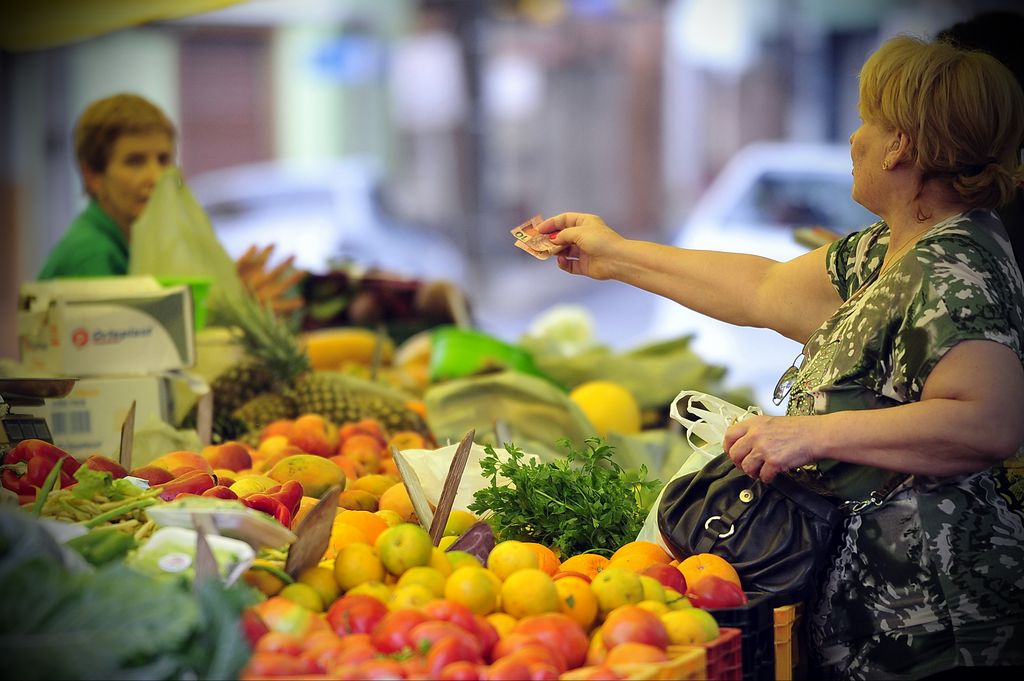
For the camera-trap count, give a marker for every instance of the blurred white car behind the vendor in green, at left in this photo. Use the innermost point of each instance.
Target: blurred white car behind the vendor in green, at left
(321, 211)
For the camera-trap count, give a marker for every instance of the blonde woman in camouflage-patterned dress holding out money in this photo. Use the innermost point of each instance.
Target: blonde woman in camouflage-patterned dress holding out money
(914, 333)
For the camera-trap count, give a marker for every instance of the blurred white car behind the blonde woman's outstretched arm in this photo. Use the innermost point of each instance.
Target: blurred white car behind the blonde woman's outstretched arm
(767, 195)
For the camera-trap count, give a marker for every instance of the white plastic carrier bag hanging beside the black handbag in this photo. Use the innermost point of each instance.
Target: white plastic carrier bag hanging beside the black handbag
(706, 418)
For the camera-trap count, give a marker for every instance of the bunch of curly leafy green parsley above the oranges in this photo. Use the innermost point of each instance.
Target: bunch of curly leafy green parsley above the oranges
(584, 503)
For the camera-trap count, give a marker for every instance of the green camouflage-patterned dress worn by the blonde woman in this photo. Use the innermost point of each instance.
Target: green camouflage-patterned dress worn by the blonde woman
(933, 578)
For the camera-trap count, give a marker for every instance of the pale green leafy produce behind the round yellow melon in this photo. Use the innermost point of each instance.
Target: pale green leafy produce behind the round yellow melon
(653, 373)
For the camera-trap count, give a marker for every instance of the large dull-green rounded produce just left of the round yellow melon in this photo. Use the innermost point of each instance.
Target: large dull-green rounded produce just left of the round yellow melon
(537, 413)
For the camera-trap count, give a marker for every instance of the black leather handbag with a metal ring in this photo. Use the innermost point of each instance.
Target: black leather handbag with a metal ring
(777, 536)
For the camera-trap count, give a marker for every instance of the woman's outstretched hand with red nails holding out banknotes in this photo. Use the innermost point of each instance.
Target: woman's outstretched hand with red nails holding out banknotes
(591, 244)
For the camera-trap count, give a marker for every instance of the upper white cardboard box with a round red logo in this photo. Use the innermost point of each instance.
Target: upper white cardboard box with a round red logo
(106, 326)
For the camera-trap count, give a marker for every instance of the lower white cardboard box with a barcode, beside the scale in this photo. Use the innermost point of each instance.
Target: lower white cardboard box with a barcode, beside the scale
(89, 421)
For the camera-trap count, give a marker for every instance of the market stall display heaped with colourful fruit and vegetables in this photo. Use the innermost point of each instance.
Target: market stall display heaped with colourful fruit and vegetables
(323, 530)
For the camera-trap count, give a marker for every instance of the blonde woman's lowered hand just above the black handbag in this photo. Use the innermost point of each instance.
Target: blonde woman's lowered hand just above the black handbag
(764, 446)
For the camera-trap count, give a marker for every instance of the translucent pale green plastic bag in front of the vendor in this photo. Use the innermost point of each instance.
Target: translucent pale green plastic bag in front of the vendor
(174, 238)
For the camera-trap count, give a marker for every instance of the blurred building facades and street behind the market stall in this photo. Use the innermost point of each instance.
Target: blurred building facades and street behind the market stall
(479, 114)
